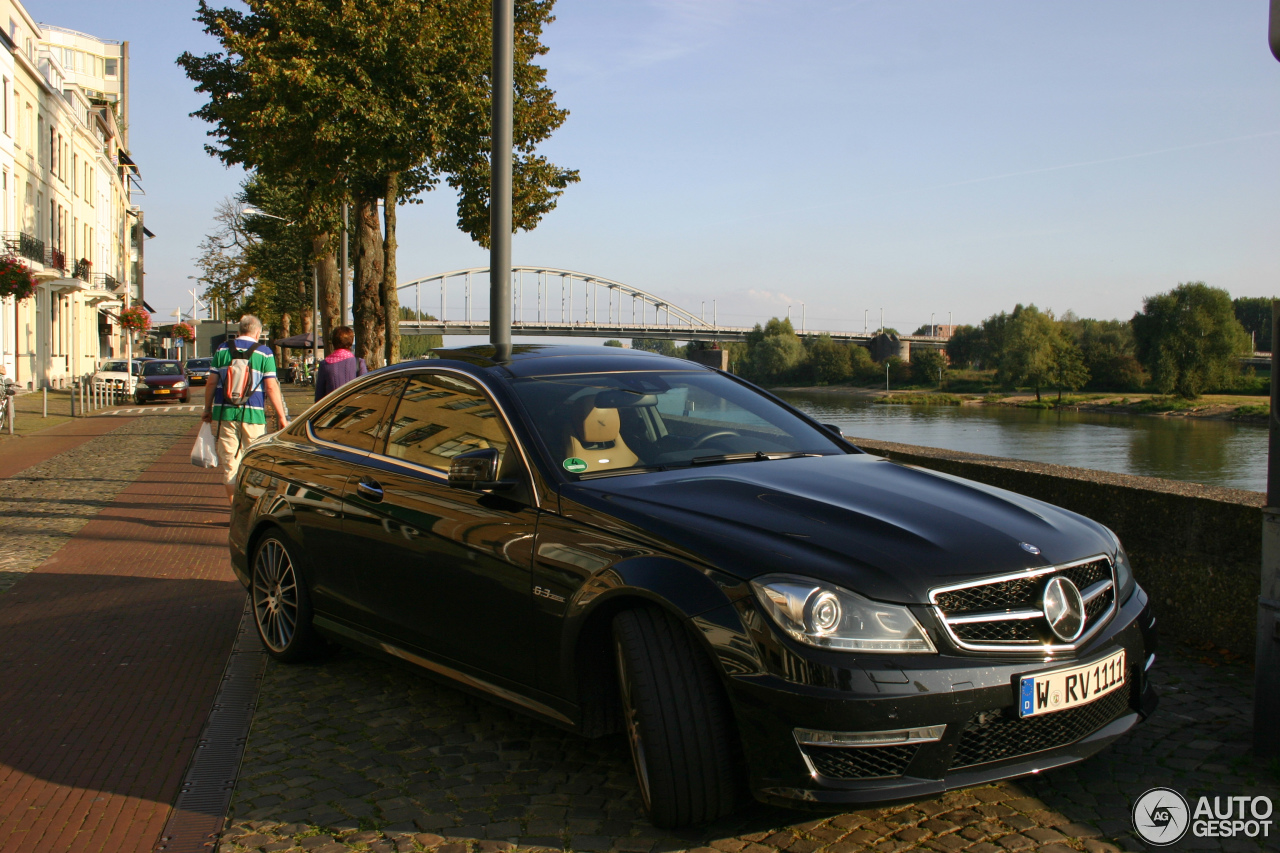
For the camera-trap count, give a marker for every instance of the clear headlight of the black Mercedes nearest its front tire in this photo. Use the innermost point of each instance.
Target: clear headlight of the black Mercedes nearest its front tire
(828, 617)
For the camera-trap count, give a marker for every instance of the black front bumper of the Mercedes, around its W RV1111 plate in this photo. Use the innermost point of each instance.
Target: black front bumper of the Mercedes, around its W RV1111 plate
(975, 697)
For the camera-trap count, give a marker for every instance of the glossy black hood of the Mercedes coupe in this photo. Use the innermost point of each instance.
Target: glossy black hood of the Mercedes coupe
(886, 531)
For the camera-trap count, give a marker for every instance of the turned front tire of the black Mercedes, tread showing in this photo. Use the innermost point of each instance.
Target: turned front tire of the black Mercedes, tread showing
(676, 719)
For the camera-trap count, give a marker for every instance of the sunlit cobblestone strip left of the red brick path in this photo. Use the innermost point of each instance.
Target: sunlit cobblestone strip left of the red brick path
(43, 507)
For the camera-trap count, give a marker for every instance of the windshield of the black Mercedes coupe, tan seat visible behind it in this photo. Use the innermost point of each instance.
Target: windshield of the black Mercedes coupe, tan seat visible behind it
(615, 423)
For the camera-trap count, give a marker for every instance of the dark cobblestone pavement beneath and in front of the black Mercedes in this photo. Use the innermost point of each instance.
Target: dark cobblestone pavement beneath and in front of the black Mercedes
(355, 755)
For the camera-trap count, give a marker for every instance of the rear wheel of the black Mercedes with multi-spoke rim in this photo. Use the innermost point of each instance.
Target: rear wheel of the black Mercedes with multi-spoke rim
(282, 606)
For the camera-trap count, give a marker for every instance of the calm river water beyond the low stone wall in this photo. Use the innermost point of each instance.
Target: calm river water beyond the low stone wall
(1214, 453)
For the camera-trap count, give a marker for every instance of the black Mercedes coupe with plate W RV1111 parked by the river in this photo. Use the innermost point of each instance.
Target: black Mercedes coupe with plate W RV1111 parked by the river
(618, 541)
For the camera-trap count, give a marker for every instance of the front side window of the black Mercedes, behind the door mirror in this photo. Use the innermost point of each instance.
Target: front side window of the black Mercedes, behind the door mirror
(440, 417)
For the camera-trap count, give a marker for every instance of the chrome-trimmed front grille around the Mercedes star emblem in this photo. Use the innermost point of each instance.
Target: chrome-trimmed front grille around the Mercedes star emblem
(1005, 614)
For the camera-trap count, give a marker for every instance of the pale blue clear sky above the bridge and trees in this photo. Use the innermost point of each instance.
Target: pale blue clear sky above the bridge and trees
(906, 156)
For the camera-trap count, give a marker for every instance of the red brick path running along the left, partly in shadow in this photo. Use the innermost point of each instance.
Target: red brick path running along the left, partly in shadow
(112, 651)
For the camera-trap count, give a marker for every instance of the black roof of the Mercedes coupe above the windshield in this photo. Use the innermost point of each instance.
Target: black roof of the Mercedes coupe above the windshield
(557, 359)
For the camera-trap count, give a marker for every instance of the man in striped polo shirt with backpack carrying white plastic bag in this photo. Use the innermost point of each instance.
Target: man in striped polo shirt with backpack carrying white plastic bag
(236, 426)
